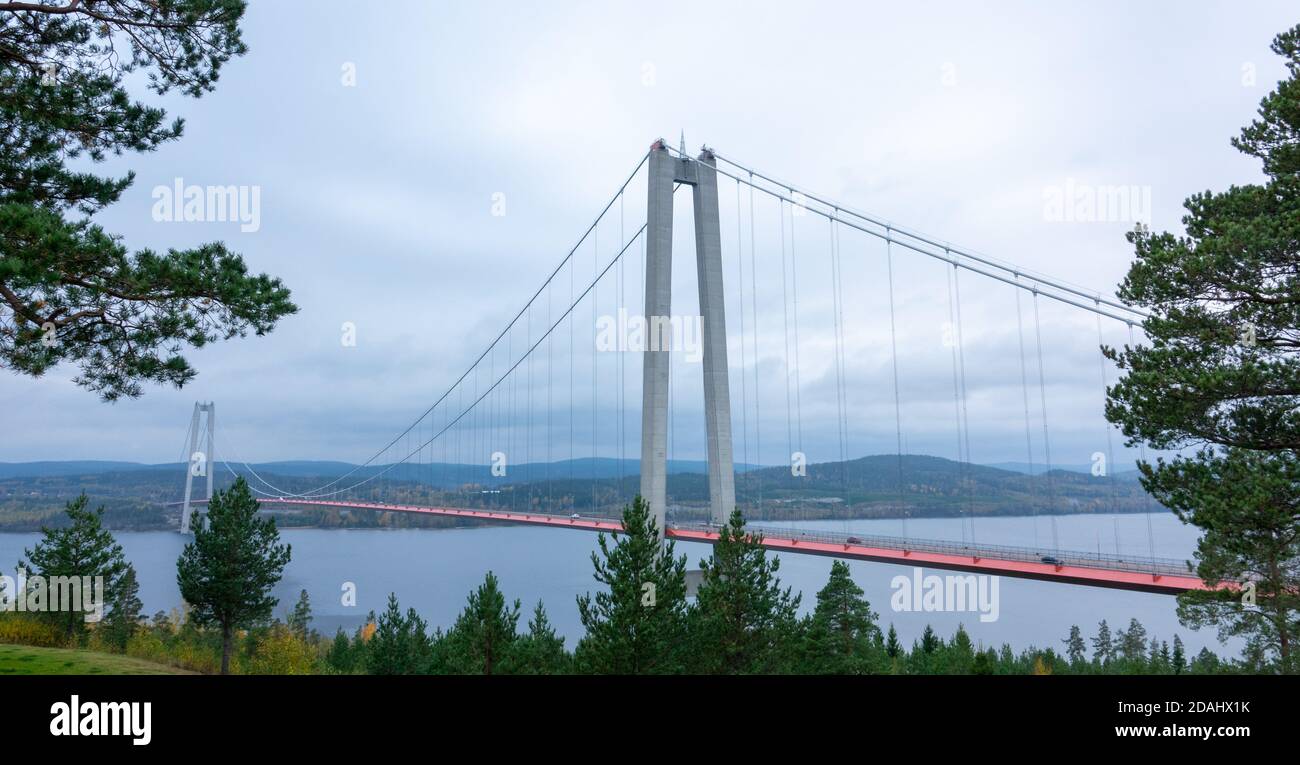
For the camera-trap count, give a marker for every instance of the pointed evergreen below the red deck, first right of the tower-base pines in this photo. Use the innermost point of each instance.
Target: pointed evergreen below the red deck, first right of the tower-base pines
(842, 637)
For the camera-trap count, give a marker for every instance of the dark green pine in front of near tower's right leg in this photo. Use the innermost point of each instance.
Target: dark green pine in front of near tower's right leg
(743, 623)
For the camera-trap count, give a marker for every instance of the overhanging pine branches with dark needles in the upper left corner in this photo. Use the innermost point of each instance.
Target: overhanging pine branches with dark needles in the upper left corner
(70, 291)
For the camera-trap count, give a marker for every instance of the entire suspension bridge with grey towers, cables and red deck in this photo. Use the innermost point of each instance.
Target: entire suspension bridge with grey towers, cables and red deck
(543, 397)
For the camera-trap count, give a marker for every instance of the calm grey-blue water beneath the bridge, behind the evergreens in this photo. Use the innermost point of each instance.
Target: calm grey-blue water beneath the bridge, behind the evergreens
(435, 570)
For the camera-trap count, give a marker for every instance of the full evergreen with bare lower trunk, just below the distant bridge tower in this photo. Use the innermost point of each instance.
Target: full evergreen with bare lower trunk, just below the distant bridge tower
(228, 572)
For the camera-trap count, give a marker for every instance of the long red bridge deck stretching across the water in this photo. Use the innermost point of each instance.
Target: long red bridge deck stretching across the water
(1159, 576)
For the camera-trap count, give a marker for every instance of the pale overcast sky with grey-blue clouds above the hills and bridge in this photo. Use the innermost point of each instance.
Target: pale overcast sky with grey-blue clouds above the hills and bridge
(387, 142)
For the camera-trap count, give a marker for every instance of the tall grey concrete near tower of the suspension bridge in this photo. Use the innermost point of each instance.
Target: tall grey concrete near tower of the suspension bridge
(665, 171)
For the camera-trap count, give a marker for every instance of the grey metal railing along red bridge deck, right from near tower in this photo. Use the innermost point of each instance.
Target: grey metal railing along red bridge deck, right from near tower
(1138, 564)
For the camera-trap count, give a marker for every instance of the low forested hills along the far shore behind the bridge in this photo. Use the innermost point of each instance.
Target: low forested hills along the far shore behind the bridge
(869, 487)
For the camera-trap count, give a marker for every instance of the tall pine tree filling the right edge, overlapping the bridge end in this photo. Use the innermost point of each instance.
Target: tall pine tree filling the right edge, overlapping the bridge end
(1223, 374)
